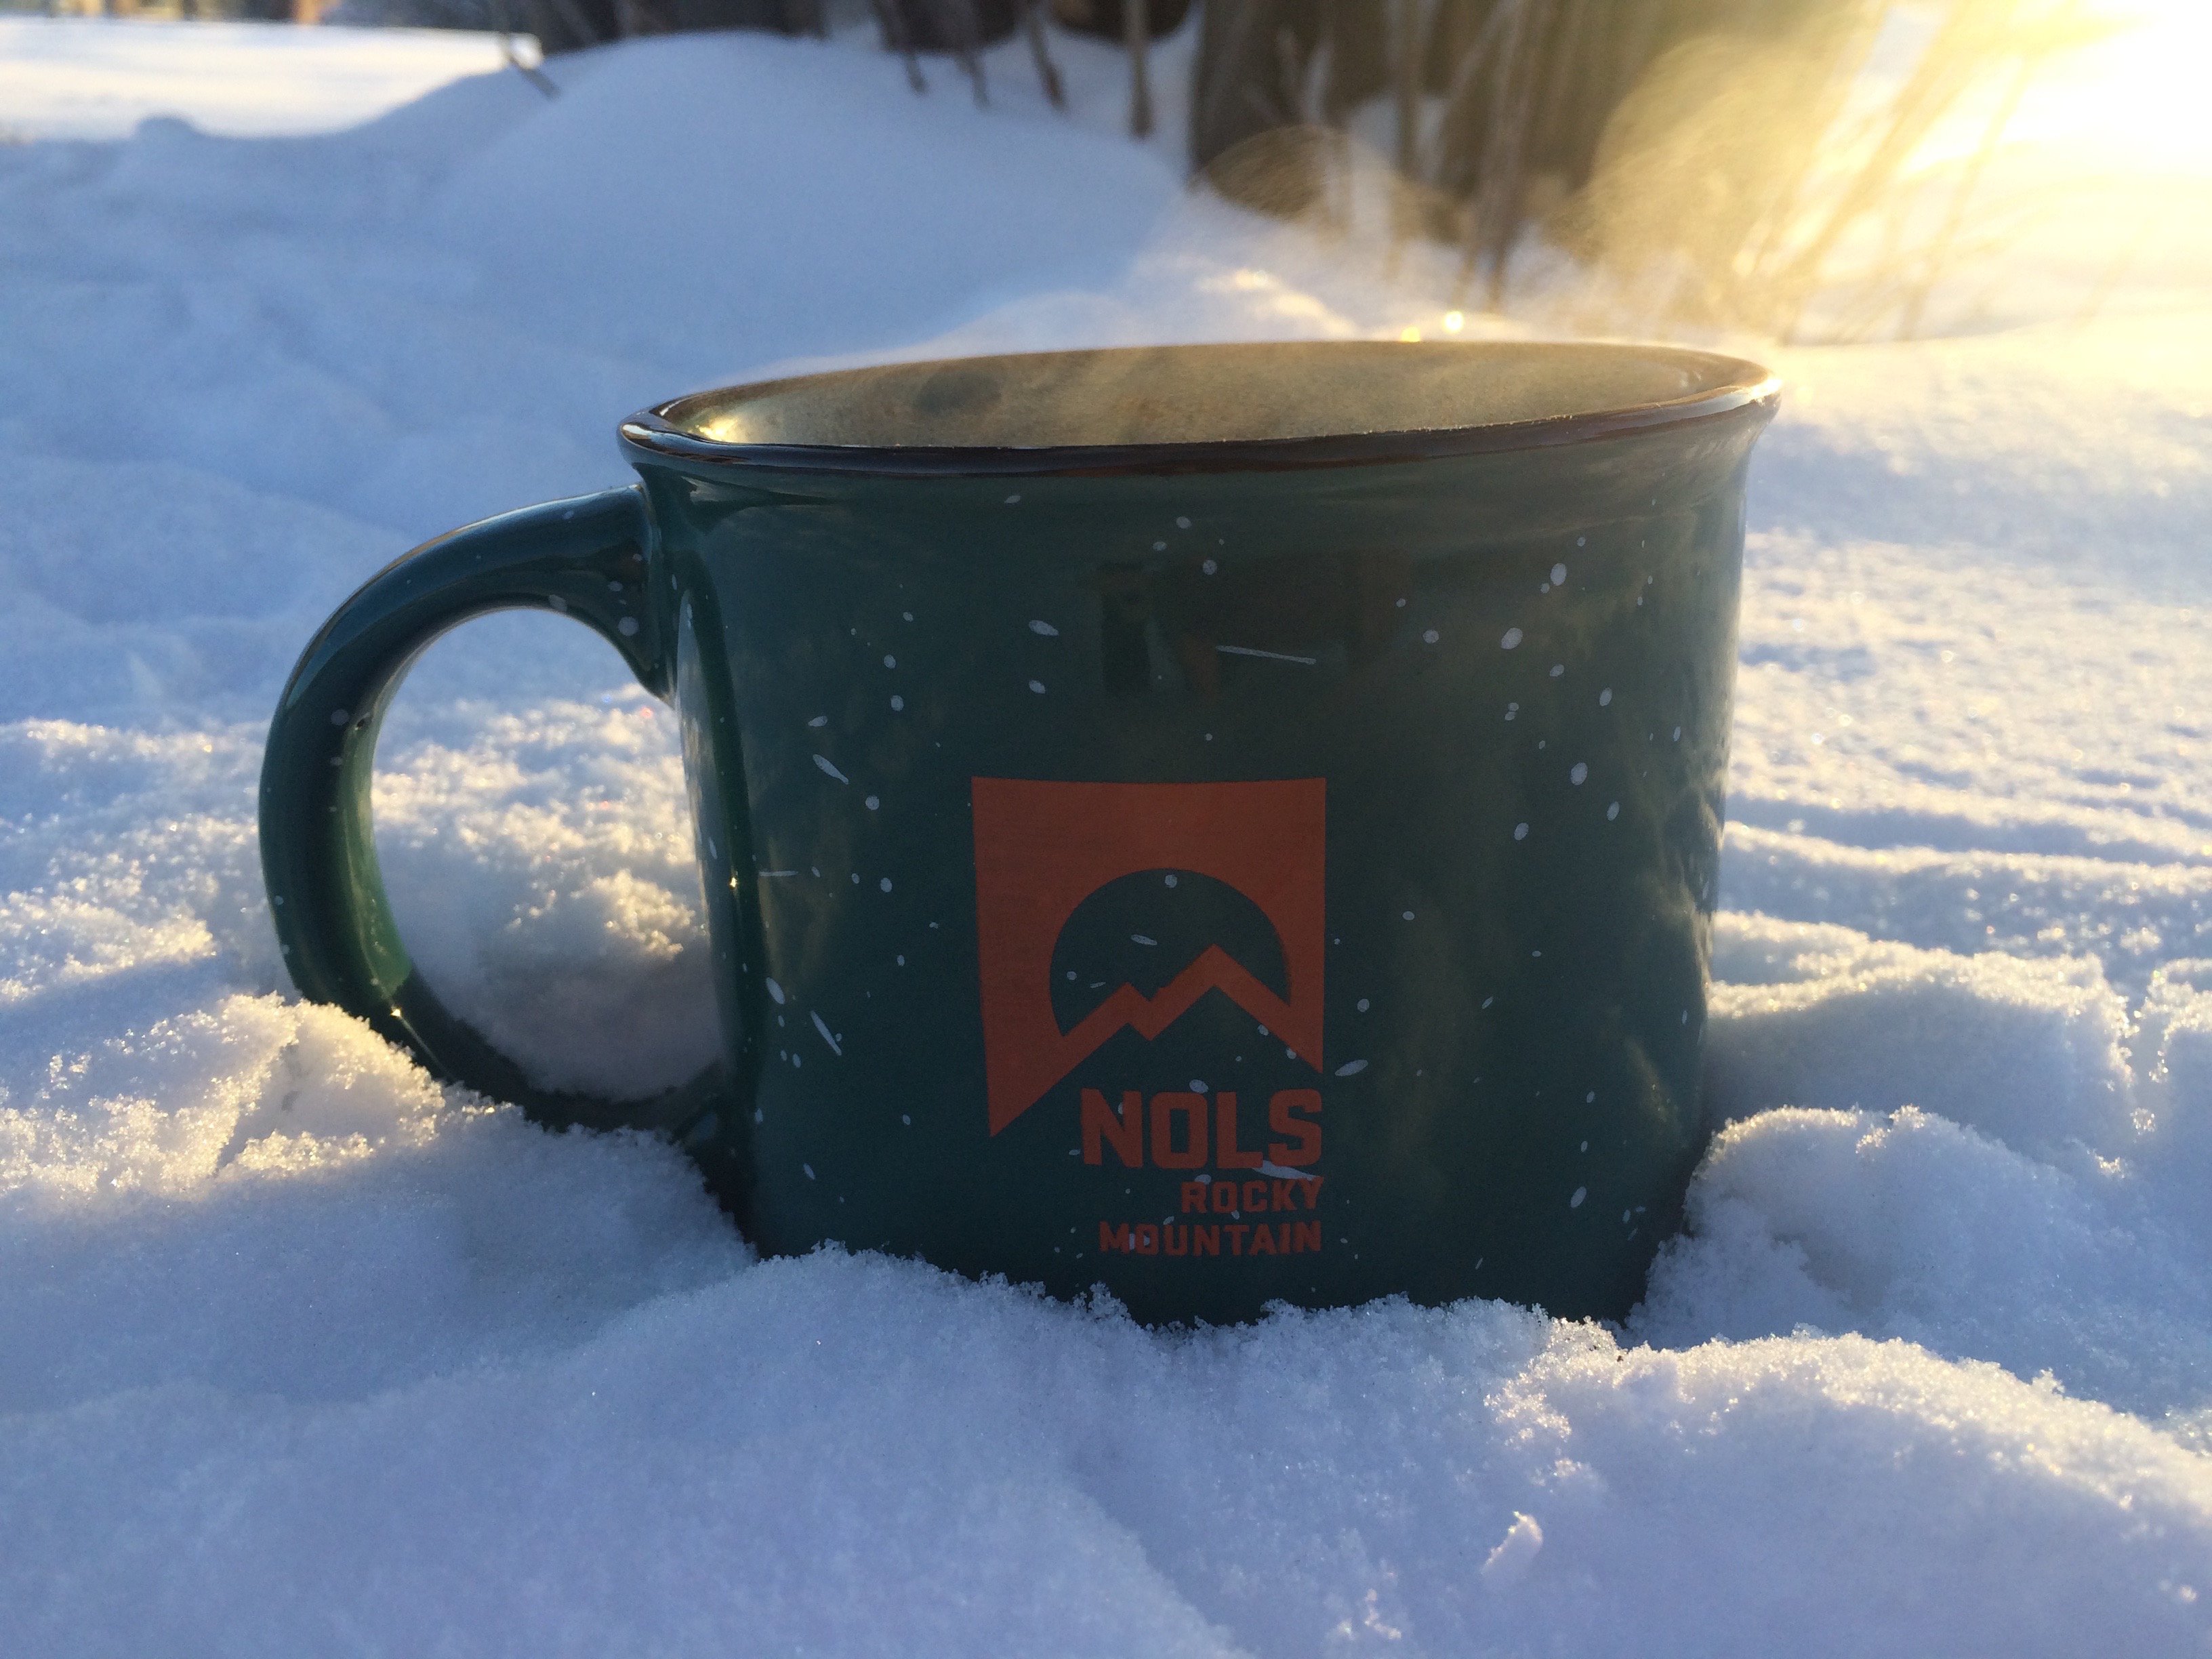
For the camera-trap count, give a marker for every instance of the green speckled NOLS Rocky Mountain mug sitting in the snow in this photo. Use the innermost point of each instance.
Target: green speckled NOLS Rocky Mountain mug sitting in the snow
(1227, 824)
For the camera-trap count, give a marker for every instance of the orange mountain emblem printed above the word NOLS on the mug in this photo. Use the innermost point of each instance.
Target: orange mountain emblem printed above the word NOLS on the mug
(1045, 848)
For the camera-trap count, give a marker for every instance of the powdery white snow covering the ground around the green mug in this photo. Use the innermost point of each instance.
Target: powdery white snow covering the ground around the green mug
(302, 1353)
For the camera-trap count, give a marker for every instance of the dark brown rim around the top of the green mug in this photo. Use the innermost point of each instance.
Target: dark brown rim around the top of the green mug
(1744, 386)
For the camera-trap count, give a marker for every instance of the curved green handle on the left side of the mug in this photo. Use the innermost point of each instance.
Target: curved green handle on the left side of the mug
(587, 559)
